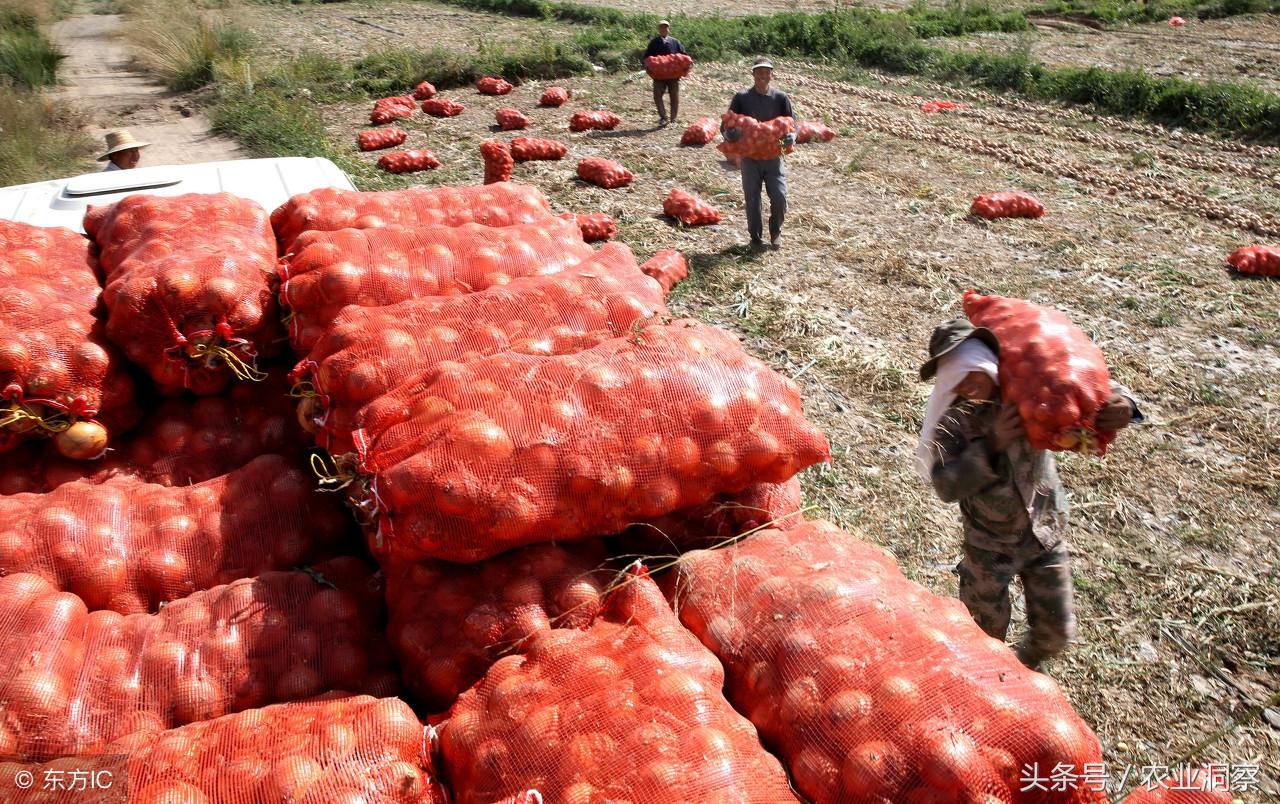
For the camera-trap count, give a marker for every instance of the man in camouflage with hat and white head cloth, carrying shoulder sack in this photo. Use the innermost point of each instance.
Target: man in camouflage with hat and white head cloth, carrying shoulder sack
(1012, 502)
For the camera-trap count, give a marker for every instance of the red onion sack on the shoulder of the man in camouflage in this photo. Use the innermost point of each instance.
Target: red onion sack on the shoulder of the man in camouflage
(1050, 369)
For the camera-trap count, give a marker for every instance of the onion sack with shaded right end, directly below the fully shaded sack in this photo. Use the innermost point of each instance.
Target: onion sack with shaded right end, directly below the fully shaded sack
(129, 546)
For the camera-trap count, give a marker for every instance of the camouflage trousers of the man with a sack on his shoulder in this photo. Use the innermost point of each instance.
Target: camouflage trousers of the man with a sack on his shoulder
(985, 578)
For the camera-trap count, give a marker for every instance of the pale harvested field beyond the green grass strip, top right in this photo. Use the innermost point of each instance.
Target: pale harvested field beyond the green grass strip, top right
(1244, 49)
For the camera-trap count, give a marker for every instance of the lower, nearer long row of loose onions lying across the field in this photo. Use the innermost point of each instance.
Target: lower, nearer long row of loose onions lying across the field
(1034, 159)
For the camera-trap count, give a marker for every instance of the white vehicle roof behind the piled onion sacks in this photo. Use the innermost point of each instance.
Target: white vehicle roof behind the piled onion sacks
(271, 182)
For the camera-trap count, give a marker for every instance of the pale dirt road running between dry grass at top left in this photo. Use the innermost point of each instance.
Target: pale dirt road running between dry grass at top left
(99, 81)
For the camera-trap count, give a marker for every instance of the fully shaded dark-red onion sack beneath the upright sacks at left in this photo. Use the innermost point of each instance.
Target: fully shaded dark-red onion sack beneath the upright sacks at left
(181, 442)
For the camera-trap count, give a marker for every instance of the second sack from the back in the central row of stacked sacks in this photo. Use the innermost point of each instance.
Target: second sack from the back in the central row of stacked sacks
(374, 268)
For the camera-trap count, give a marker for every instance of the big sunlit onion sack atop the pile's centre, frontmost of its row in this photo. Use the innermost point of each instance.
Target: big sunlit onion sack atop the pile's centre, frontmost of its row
(511, 450)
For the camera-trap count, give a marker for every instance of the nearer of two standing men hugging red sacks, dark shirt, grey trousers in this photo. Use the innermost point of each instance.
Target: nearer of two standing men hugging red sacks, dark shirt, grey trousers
(764, 103)
